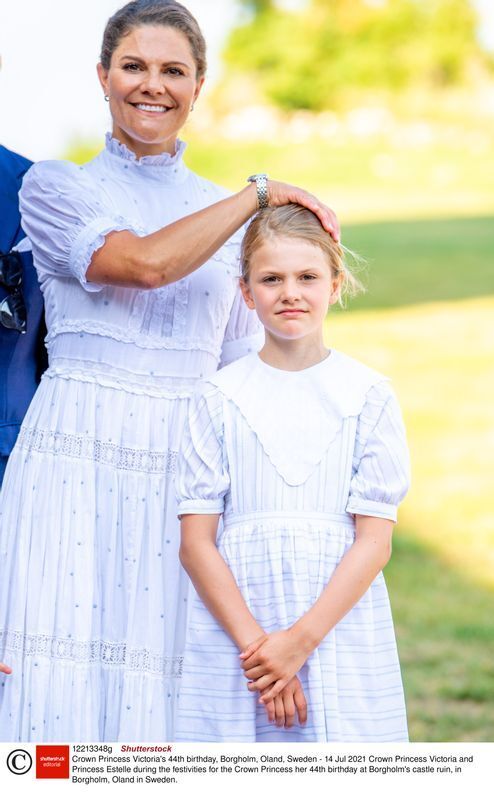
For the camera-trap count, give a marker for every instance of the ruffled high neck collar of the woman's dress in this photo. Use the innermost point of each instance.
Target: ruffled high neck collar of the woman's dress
(164, 167)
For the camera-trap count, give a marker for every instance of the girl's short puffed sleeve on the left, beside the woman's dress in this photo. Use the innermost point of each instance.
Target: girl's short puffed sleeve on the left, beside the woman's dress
(202, 478)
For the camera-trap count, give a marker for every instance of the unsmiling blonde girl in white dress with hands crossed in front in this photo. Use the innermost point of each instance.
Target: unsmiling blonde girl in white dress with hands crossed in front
(303, 452)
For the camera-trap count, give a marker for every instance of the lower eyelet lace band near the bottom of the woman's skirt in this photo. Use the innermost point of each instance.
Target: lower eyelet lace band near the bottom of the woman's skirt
(117, 654)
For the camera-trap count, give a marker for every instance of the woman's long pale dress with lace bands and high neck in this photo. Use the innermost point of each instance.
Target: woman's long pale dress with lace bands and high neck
(92, 598)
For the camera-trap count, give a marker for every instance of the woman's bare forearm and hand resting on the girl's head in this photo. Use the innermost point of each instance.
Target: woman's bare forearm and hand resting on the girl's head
(173, 252)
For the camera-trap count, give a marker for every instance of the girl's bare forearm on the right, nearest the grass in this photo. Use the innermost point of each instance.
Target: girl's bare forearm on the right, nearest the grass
(350, 580)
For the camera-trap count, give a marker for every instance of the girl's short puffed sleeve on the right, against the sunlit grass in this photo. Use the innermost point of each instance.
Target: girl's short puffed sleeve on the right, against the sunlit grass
(381, 471)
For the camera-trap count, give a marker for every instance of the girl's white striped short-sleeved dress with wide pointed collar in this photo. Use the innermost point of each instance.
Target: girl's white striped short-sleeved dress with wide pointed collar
(289, 458)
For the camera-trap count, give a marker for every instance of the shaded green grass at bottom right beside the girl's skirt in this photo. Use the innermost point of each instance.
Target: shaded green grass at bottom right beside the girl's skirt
(445, 629)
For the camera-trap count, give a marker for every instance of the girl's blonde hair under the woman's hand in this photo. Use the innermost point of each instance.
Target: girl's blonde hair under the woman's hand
(297, 222)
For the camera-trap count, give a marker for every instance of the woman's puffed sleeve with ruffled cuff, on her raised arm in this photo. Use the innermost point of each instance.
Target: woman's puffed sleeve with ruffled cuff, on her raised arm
(65, 221)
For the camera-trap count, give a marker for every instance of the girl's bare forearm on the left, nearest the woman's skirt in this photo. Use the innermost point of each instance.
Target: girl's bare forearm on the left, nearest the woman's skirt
(213, 580)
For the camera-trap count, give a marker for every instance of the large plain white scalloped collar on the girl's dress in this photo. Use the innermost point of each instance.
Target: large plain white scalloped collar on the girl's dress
(296, 415)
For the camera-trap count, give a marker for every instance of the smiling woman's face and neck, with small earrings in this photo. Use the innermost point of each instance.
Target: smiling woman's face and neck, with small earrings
(152, 85)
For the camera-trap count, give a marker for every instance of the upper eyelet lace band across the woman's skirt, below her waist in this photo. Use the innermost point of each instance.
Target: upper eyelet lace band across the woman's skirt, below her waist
(79, 446)
